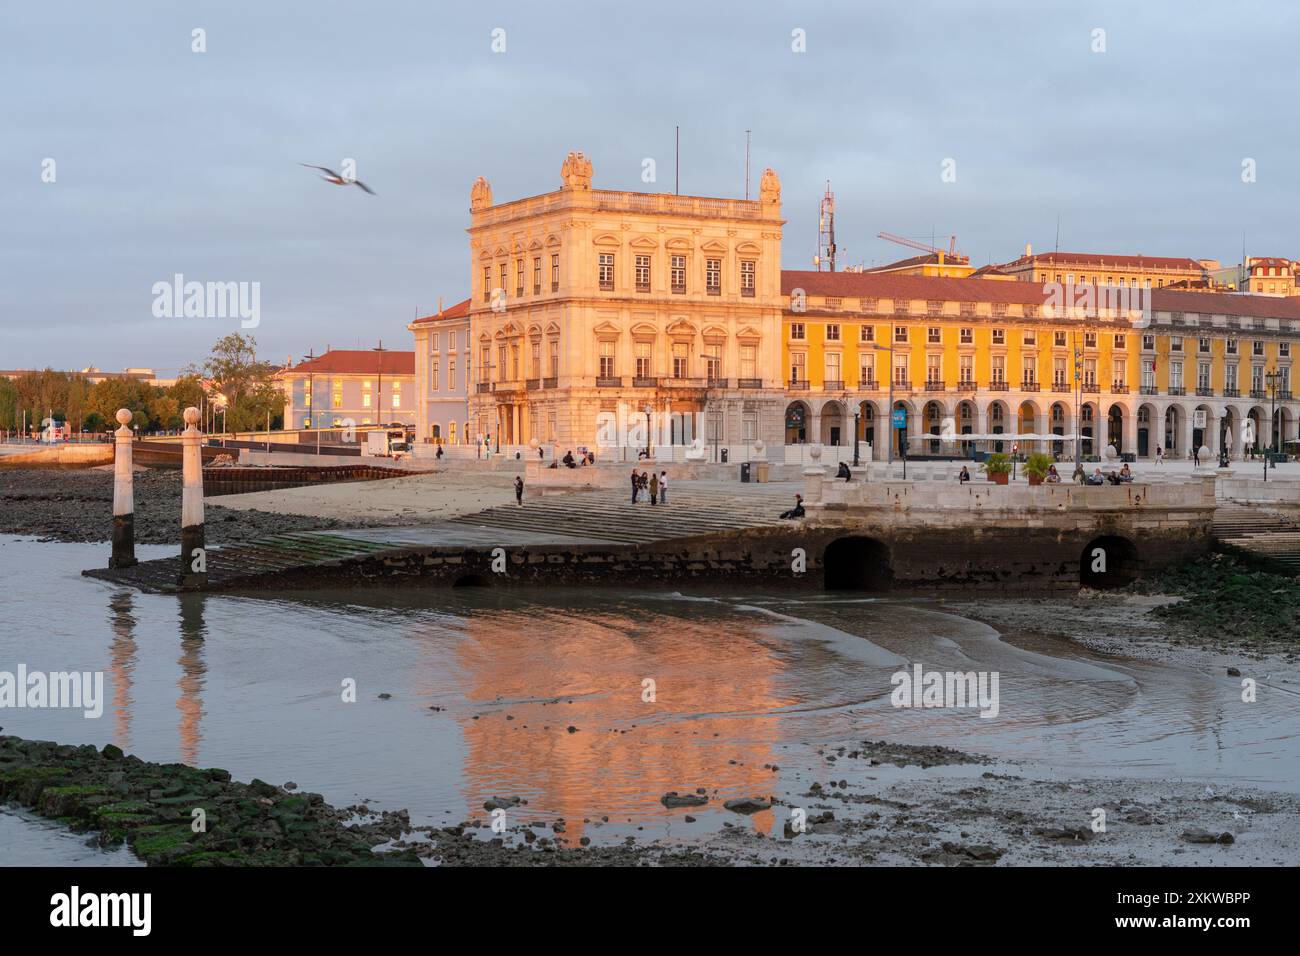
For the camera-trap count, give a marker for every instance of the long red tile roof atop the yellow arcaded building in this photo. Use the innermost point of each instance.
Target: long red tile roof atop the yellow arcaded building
(869, 285)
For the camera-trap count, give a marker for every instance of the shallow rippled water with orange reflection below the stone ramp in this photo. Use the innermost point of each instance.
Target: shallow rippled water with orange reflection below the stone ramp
(255, 685)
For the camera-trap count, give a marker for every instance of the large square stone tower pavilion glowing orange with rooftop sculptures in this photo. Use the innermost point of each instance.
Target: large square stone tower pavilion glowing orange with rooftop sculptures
(586, 299)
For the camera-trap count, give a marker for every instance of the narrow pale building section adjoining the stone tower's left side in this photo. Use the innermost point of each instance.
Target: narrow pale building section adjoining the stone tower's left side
(443, 354)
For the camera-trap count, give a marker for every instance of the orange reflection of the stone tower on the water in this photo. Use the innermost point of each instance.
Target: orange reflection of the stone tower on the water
(627, 752)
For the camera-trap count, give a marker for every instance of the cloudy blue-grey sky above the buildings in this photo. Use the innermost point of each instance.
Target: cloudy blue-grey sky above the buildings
(168, 161)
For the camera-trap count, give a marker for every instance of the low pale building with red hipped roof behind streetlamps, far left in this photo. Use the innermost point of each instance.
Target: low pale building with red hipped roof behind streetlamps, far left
(363, 386)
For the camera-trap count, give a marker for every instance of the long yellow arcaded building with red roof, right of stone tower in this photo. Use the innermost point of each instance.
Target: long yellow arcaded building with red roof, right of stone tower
(1000, 358)
